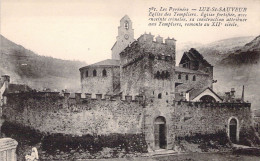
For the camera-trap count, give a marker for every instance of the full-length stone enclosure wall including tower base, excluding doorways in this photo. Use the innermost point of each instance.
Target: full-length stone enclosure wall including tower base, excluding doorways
(53, 113)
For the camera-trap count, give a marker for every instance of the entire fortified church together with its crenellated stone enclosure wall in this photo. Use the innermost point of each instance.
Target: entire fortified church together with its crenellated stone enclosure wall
(140, 92)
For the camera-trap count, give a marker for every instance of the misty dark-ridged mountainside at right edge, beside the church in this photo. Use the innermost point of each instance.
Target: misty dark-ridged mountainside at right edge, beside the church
(241, 67)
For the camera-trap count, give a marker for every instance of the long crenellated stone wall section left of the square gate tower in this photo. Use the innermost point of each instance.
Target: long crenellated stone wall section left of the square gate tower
(52, 113)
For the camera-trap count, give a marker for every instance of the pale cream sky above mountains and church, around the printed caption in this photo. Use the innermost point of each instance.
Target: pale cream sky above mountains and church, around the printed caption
(86, 30)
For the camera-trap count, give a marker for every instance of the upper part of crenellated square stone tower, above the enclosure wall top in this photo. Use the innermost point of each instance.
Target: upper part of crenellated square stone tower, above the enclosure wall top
(147, 67)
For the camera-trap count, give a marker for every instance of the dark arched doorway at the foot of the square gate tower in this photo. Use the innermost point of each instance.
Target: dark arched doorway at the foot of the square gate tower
(160, 133)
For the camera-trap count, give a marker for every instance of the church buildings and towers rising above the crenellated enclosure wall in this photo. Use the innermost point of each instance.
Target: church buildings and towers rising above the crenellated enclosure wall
(148, 67)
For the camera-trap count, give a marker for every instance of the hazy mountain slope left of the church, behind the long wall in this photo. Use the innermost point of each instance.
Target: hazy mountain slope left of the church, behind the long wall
(26, 67)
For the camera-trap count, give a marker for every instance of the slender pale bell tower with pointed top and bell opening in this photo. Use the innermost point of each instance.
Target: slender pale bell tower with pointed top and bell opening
(124, 38)
